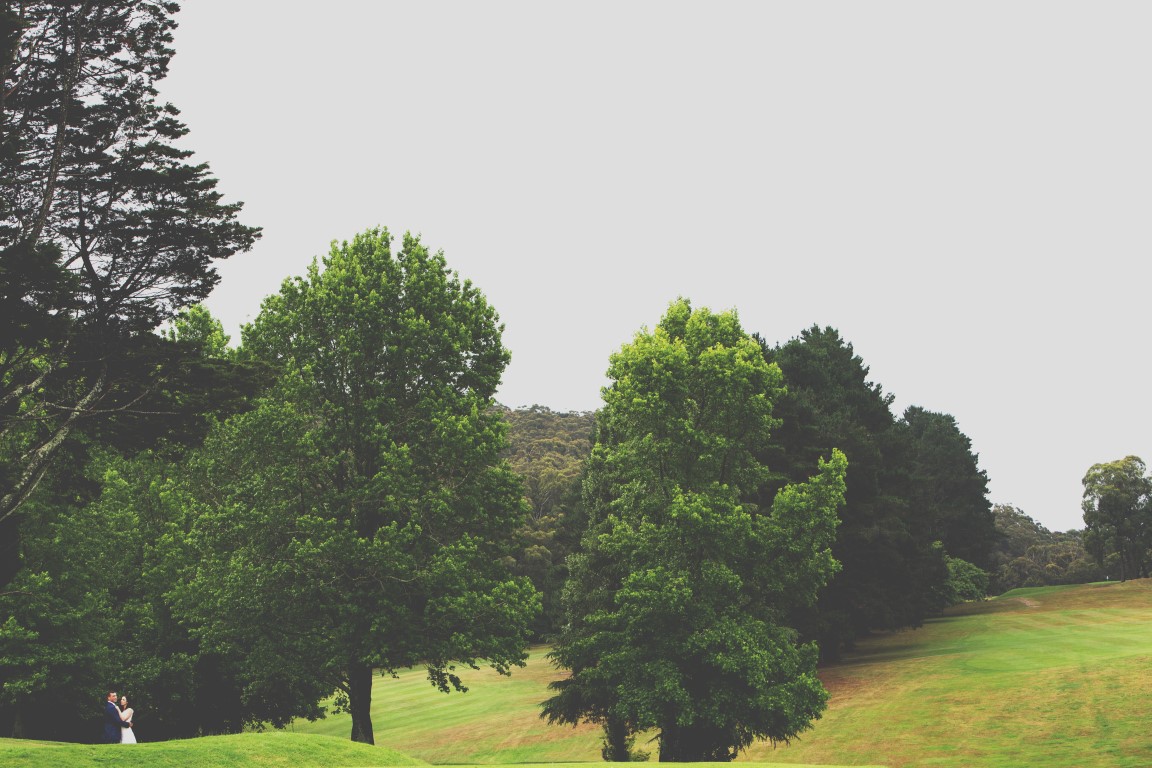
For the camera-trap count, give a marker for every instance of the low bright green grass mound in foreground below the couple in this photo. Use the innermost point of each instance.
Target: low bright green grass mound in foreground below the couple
(244, 750)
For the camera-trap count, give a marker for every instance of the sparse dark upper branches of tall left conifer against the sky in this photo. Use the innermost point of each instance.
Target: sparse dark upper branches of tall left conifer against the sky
(96, 169)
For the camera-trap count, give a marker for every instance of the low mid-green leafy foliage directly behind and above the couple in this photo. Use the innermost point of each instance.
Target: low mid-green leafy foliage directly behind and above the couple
(87, 613)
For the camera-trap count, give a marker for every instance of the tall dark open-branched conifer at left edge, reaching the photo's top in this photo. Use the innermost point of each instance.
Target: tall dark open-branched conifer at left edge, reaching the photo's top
(107, 226)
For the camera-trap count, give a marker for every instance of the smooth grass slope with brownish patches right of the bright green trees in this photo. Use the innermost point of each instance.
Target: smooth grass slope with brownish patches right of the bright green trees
(1052, 676)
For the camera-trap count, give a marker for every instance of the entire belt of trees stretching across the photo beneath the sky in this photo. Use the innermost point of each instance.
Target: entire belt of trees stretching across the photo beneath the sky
(238, 531)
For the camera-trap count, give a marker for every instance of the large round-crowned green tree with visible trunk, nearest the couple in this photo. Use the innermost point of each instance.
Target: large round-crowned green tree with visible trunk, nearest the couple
(359, 519)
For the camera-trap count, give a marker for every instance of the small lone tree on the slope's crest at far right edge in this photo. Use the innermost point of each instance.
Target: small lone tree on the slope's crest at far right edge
(1118, 515)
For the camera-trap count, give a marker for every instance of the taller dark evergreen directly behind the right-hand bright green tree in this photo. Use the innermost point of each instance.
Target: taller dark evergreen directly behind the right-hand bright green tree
(890, 575)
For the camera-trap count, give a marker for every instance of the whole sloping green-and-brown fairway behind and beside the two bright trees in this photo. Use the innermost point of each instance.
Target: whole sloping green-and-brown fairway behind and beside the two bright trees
(1052, 676)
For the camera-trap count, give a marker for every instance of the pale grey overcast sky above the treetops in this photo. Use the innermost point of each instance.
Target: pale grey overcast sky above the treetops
(961, 189)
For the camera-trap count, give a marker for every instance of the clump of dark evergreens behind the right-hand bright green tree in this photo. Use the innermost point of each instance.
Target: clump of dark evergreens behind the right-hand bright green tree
(912, 483)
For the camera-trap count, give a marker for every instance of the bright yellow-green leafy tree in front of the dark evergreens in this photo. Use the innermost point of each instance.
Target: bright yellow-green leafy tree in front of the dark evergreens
(679, 605)
